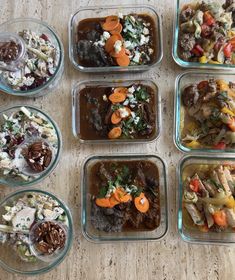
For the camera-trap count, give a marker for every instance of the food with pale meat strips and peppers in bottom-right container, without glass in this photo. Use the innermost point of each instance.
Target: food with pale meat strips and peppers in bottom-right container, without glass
(208, 197)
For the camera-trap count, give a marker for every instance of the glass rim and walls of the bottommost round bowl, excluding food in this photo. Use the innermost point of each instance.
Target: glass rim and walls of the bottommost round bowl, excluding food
(9, 257)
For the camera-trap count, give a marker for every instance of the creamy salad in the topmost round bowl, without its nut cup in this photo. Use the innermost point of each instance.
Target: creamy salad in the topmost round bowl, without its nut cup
(38, 65)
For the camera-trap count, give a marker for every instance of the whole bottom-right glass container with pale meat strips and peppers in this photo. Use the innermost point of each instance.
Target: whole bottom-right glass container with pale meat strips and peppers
(206, 199)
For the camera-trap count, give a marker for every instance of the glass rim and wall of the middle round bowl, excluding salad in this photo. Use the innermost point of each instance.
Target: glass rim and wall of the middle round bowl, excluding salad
(15, 181)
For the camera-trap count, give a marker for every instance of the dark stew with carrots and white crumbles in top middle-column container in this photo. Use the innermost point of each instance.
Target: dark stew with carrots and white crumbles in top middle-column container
(117, 40)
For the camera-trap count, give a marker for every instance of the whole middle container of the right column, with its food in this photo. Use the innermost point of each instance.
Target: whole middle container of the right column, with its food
(204, 112)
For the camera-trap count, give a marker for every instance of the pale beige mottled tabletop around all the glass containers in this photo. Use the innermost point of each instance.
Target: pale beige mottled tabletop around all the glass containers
(169, 259)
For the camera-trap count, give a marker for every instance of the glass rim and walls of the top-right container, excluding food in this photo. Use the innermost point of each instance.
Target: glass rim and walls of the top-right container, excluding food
(178, 5)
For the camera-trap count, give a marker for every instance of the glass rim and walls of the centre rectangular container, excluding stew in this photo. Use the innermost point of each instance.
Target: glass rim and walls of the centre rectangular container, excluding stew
(114, 83)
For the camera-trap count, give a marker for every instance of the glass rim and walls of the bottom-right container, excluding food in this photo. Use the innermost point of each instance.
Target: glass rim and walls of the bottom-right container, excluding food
(189, 233)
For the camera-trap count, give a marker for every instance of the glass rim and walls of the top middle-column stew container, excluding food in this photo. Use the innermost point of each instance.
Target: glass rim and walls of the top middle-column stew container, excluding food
(104, 11)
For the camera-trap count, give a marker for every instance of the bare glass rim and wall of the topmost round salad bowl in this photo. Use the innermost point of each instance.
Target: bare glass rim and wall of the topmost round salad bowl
(19, 24)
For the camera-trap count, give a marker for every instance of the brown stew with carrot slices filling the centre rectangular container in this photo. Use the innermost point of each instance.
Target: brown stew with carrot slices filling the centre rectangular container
(117, 112)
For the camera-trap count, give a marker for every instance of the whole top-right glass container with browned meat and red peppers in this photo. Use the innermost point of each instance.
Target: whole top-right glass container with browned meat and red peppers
(206, 34)
